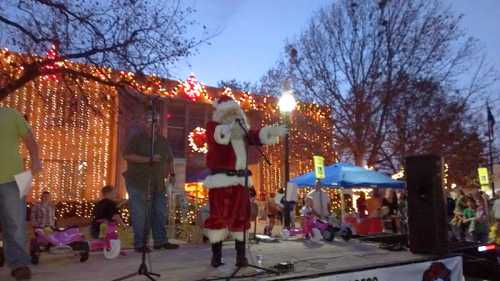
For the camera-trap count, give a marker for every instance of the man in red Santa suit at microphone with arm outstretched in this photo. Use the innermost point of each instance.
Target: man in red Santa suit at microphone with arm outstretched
(227, 159)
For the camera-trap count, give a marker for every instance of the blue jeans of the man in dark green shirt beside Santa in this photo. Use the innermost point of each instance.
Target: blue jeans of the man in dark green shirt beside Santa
(157, 219)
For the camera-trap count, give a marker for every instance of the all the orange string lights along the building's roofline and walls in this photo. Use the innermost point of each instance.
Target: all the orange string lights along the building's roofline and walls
(74, 123)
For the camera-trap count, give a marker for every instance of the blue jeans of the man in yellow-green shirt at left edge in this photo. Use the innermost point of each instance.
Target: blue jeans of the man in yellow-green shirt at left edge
(13, 219)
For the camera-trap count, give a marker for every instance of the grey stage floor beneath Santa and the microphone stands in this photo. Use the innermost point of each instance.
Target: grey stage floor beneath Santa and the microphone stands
(191, 262)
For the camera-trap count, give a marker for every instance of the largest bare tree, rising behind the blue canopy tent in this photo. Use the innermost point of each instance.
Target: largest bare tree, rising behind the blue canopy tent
(358, 56)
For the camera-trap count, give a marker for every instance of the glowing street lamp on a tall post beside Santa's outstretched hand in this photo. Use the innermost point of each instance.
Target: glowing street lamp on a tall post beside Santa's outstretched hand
(286, 105)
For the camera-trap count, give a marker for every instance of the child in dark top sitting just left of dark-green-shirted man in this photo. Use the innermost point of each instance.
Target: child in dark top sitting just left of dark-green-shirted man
(105, 210)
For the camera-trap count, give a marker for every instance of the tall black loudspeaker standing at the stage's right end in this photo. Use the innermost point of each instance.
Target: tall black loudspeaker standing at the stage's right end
(427, 222)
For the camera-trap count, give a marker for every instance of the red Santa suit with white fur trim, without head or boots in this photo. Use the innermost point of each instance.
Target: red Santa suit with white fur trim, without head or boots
(228, 199)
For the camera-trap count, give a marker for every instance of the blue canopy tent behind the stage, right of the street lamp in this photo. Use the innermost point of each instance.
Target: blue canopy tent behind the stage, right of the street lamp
(344, 176)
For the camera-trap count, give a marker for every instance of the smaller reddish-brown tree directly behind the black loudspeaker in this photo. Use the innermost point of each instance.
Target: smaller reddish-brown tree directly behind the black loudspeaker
(427, 120)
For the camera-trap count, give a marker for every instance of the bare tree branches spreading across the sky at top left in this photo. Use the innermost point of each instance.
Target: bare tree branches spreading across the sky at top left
(135, 36)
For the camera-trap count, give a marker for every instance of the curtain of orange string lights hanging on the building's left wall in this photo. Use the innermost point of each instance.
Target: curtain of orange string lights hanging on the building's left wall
(73, 130)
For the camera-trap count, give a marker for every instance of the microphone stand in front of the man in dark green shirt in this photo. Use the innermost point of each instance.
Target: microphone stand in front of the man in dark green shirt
(143, 268)
